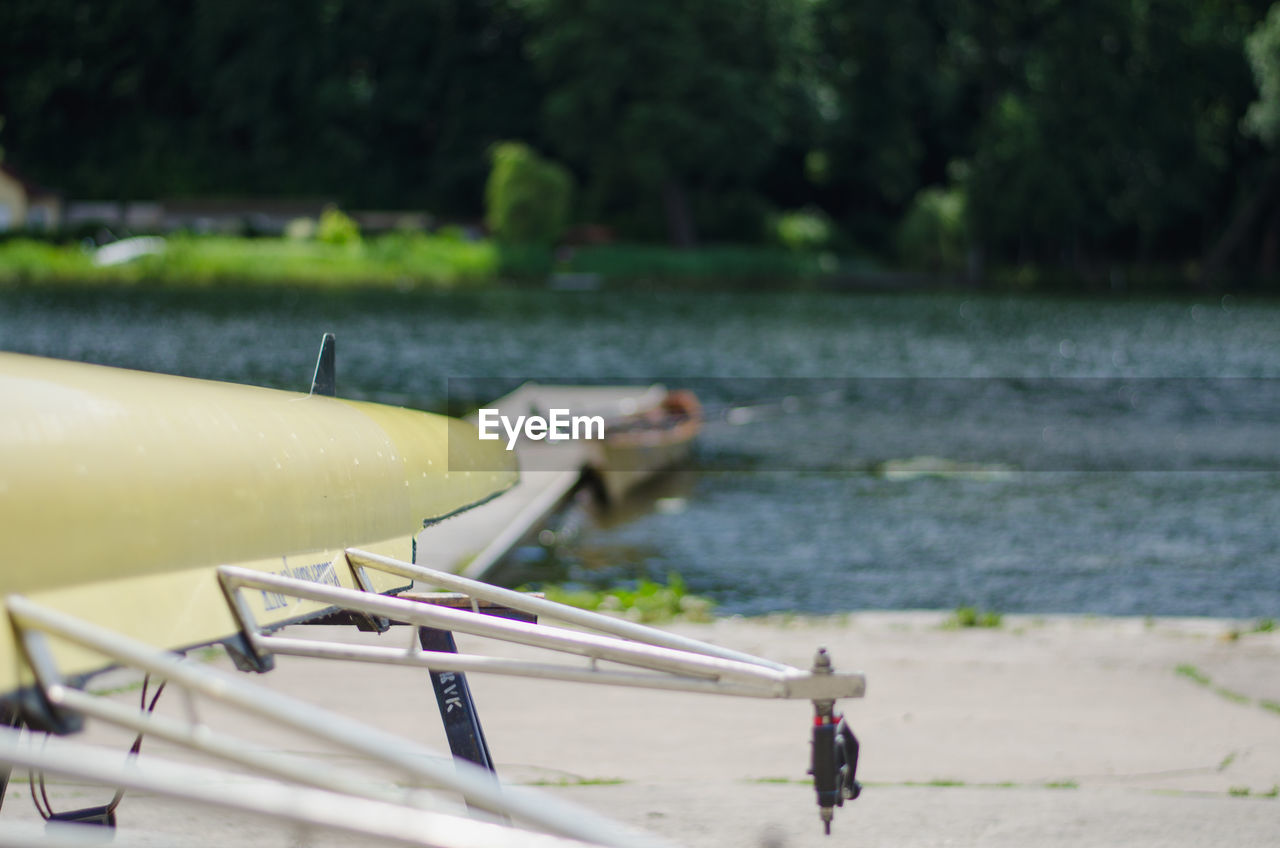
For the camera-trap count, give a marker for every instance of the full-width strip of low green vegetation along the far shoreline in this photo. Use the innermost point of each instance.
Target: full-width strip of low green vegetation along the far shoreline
(445, 261)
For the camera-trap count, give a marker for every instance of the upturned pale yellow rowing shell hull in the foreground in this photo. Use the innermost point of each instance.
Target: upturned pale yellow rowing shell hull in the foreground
(121, 494)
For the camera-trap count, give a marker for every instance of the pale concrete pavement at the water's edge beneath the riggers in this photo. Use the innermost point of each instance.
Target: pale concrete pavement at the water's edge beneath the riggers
(1057, 731)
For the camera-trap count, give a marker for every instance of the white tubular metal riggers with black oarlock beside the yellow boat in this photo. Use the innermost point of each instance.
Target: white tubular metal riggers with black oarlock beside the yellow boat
(405, 813)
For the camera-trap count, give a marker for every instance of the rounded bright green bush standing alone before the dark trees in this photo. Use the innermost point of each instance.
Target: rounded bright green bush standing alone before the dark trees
(527, 198)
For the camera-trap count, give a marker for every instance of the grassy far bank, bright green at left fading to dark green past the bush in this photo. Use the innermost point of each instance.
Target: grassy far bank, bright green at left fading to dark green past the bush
(397, 261)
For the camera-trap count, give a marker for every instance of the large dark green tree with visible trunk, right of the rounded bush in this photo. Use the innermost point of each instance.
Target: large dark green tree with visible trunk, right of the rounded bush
(665, 106)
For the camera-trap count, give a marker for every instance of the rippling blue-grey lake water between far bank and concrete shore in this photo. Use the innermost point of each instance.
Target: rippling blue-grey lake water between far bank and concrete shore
(1117, 457)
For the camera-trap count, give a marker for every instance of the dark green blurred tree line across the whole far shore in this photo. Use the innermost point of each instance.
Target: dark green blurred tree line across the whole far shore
(1084, 136)
